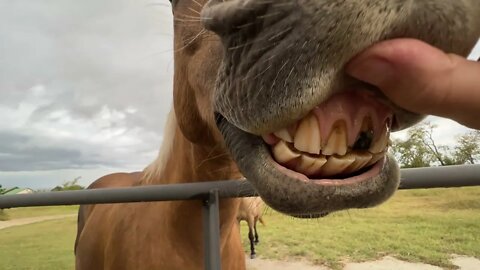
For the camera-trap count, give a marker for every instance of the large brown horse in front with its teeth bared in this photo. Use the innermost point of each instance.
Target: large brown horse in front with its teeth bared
(260, 91)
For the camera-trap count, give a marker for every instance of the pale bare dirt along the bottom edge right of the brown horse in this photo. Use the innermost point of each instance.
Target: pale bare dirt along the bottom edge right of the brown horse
(386, 263)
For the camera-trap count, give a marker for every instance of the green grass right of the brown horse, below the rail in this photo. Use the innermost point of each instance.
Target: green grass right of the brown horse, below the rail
(420, 226)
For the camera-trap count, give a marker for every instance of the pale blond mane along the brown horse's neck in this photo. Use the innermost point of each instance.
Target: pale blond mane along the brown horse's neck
(155, 170)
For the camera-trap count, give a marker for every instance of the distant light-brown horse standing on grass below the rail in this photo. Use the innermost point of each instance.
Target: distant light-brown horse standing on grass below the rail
(251, 210)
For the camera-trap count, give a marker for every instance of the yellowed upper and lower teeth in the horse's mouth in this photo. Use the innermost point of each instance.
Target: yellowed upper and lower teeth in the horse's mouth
(304, 150)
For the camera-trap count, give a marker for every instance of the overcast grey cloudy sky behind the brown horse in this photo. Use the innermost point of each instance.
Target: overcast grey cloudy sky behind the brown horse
(85, 87)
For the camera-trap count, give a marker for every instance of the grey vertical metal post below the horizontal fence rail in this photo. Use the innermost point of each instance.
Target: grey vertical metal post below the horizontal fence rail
(211, 231)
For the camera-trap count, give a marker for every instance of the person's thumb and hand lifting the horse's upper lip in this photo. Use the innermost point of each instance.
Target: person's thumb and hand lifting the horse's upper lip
(422, 79)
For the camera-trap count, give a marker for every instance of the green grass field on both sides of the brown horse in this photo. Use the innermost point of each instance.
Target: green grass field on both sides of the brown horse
(421, 225)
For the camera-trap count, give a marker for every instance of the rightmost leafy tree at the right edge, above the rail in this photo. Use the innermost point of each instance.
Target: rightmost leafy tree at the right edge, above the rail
(467, 149)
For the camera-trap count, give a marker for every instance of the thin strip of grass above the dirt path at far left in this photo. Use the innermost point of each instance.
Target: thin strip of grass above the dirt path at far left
(40, 211)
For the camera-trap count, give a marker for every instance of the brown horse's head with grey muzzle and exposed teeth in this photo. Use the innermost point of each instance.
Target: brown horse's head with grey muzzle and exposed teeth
(265, 80)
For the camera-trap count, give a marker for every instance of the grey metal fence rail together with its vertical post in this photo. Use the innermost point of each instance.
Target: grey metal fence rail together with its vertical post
(210, 192)
